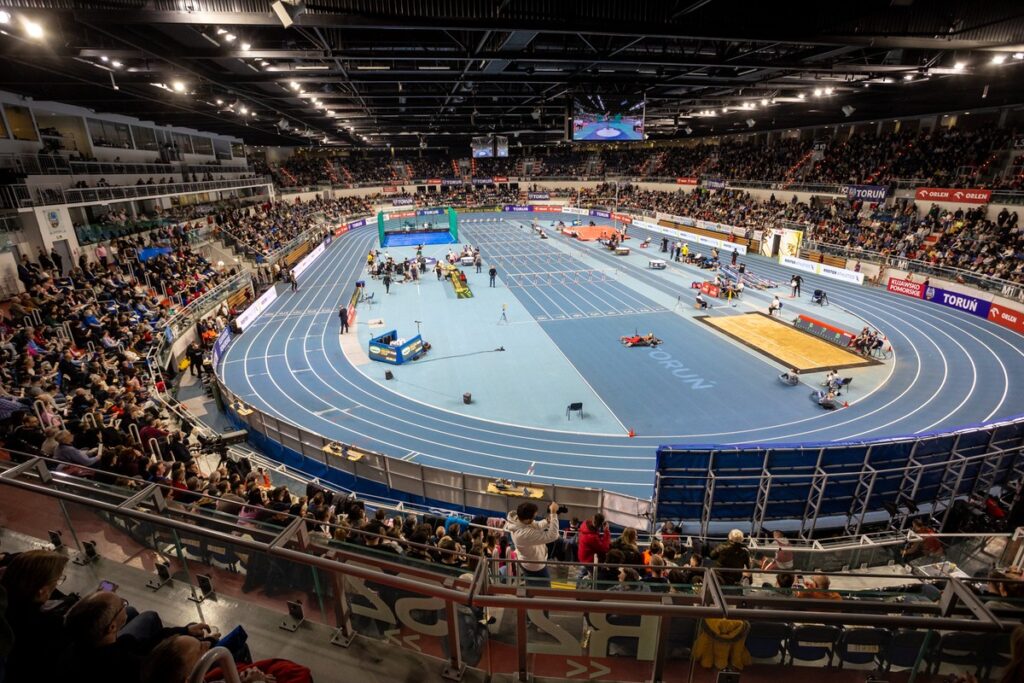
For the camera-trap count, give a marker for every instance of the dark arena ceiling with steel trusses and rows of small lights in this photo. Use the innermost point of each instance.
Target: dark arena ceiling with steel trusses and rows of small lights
(407, 72)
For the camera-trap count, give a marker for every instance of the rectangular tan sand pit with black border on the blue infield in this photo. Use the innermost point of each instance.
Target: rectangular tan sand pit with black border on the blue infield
(785, 344)
